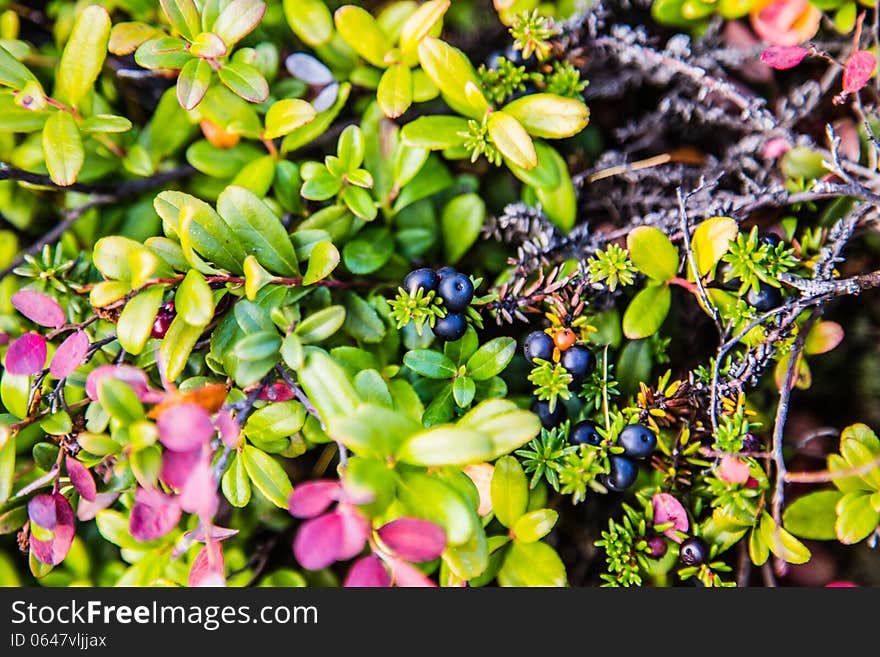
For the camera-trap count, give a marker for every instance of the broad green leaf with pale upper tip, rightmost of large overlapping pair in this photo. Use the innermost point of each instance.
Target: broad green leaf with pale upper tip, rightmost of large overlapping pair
(258, 230)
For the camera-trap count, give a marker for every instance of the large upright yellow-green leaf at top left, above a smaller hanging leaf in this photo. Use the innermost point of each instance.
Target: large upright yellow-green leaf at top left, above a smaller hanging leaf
(83, 54)
